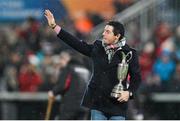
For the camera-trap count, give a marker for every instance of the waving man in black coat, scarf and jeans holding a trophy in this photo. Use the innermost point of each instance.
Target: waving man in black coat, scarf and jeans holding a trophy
(105, 55)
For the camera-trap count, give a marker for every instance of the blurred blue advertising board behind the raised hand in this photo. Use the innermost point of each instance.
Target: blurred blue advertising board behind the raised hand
(19, 10)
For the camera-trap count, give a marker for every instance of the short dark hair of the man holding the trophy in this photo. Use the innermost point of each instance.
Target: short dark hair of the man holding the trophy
(118, 28)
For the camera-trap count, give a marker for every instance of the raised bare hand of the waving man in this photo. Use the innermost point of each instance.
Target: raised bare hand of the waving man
(50, 18)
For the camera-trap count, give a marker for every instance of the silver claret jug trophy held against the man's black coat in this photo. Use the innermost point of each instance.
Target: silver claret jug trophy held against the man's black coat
(122, 71)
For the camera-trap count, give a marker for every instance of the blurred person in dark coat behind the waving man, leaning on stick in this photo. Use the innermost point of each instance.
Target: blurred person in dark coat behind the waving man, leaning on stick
(70, 85)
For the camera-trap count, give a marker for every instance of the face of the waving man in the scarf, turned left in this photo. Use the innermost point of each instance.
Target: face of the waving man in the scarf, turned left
(108, 35)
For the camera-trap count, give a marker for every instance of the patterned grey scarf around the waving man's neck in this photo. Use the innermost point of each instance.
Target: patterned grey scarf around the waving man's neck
(112, 48)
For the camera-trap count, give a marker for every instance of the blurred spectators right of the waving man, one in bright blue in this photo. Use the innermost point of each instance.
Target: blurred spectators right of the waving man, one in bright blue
(159, 61)
